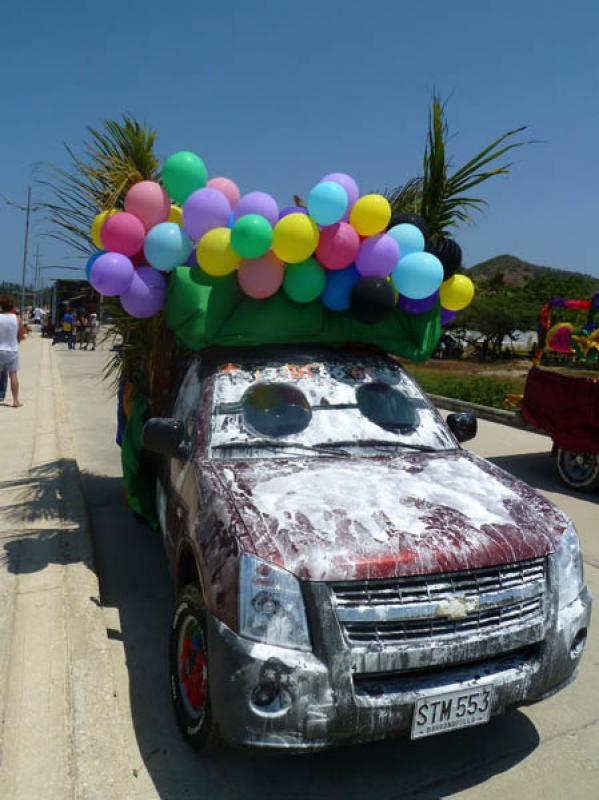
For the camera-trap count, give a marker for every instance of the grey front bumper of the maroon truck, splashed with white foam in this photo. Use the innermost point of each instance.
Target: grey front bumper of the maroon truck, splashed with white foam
(271, 697)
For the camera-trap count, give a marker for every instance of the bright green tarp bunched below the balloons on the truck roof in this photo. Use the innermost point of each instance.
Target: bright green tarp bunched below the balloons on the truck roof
(204, 311)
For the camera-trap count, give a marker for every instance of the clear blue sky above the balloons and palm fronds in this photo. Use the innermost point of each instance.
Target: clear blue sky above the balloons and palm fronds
(275, 94)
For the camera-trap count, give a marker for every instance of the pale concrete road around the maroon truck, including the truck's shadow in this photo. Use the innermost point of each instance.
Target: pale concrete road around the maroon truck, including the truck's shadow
(548, 751)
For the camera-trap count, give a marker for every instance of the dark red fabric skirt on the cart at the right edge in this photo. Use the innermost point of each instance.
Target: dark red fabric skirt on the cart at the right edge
(567, 408)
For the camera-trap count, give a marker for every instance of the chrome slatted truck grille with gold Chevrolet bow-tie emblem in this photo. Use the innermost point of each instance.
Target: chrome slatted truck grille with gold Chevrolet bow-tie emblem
(400, 611)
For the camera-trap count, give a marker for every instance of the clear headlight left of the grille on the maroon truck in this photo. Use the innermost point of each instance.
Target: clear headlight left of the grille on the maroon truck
(271, 606)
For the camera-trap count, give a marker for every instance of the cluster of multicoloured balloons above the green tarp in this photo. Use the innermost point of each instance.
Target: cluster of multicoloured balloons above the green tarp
(342, 248)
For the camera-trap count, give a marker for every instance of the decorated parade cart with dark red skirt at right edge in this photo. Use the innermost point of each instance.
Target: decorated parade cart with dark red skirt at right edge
(562, 388)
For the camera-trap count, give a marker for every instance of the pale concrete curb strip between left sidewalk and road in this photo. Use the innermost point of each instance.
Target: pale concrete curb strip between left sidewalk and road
(99, 769)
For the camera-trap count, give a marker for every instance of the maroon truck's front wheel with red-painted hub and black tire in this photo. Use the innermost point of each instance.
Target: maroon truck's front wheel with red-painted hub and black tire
(189, 662)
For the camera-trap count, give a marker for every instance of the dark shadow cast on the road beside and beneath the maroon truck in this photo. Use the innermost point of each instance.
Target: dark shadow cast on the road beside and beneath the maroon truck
(135, 581)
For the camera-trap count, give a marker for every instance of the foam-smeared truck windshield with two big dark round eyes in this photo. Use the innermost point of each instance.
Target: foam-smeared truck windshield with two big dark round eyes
(318, 406)
